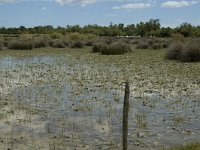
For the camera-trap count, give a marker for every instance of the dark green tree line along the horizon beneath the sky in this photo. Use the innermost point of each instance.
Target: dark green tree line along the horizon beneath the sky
(144, 29)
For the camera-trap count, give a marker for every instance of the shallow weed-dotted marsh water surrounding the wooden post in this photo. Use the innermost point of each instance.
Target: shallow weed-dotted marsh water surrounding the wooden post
(75, 101)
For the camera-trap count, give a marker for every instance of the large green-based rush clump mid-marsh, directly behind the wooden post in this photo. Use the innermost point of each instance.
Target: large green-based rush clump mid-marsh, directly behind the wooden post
(116, 48)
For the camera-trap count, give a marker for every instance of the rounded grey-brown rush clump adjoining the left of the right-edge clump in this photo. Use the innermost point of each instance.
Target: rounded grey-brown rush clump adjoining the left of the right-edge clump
(174, 51)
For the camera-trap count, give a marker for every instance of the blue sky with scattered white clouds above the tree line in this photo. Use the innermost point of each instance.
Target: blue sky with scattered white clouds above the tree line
(30, 13)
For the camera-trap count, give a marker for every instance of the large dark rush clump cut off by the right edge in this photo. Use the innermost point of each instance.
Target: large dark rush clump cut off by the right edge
(191, 52)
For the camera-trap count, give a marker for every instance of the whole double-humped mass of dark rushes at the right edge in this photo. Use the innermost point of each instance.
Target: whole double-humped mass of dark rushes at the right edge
(189, 52)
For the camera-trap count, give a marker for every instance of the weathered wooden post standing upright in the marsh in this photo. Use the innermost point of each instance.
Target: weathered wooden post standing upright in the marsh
(125, 115)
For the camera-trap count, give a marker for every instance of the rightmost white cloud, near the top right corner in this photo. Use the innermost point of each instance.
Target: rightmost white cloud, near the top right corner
(178, 4)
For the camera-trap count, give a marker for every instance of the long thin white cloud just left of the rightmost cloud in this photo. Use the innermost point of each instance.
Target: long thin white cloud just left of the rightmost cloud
(132, 6)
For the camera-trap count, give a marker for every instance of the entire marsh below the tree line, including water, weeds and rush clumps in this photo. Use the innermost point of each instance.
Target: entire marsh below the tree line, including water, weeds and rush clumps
(65, 91)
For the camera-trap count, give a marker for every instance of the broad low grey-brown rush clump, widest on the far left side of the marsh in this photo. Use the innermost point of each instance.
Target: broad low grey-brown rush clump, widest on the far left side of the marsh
(20, 45)
